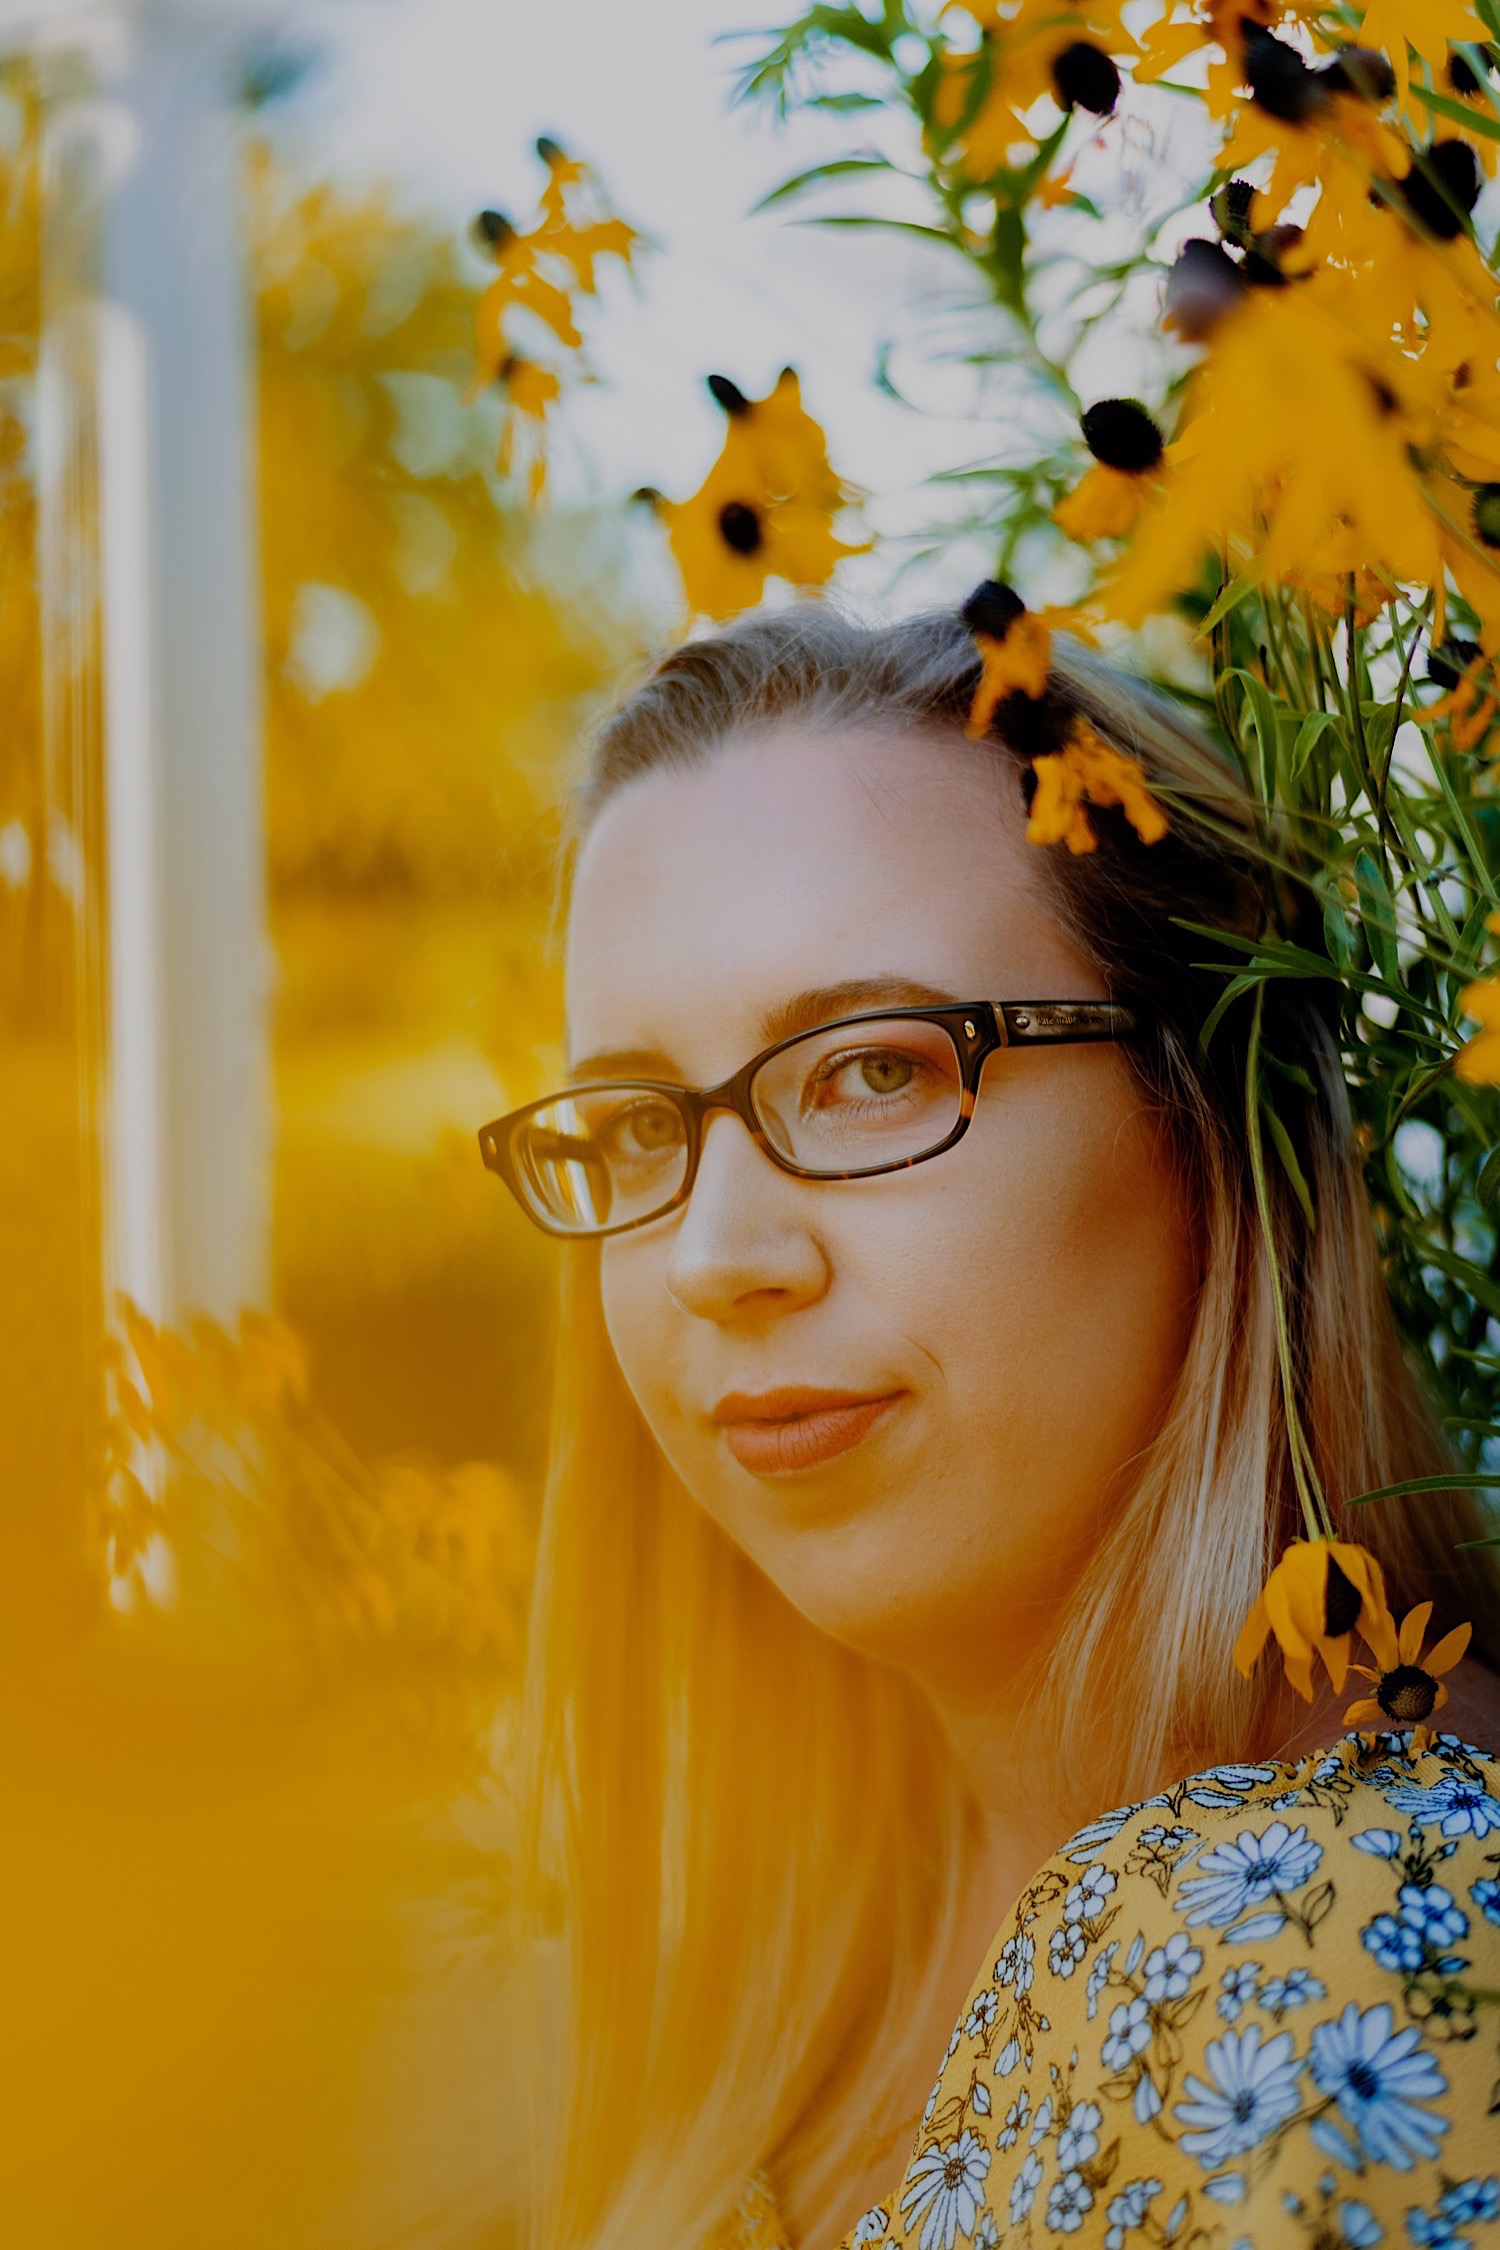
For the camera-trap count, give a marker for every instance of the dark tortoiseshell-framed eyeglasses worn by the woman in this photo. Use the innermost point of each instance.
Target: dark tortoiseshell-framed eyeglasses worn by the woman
(865, 1095)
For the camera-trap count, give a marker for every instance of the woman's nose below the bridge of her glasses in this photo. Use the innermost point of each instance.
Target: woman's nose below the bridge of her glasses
(743, 1245)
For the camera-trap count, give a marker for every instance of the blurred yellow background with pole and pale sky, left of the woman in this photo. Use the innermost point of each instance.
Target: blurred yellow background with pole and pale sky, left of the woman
(318, 550)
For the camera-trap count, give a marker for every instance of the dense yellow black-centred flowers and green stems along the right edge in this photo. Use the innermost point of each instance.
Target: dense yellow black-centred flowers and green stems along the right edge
(1310, 487)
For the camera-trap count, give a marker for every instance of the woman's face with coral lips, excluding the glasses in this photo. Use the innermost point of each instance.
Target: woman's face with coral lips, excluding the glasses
(1000, 1329)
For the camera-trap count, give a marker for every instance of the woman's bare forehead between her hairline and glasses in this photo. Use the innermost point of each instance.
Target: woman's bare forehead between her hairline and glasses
(788, 861)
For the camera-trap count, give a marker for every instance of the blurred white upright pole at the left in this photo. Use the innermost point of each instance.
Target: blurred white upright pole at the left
(188, 984)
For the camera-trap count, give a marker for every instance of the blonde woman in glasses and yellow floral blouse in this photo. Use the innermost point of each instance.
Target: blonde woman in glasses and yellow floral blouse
(919, 1457)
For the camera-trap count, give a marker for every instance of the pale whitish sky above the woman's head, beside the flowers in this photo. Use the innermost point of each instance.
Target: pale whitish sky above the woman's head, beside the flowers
(449, 96)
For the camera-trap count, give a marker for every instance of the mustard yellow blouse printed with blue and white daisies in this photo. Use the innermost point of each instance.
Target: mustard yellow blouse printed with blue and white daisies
(1258, 2010)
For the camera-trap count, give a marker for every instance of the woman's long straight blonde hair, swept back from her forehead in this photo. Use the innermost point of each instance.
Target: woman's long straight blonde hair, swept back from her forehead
(748, 1833)
